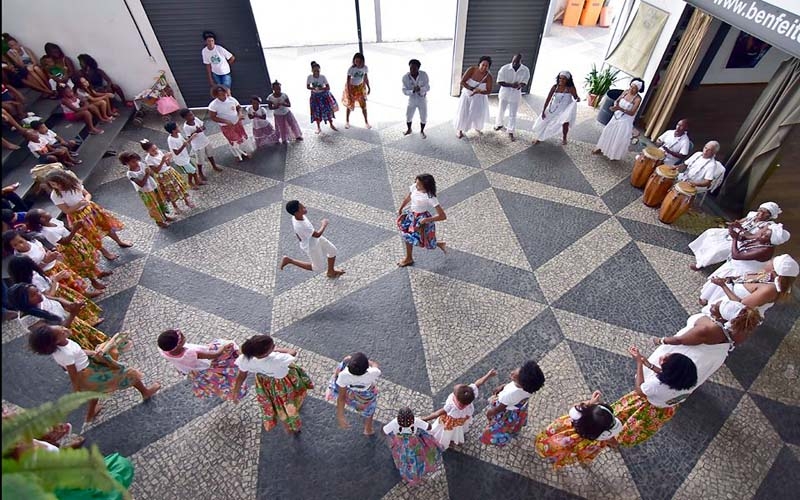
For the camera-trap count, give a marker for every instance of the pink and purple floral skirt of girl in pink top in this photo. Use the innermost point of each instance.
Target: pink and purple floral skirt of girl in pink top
(218, 380)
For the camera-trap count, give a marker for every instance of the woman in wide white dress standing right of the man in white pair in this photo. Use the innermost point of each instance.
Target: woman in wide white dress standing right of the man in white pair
(559, 111)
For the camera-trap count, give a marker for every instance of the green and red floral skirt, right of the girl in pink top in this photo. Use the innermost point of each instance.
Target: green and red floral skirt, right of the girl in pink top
(281, 399)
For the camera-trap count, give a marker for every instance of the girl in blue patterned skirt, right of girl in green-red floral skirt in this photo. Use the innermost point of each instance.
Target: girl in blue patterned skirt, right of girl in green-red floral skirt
(353, 384)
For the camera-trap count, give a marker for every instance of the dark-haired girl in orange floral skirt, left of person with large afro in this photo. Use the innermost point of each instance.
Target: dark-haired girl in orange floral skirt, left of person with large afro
(578, 437)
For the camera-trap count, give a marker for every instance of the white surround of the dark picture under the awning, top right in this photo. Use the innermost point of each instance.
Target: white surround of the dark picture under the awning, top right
(762, 73)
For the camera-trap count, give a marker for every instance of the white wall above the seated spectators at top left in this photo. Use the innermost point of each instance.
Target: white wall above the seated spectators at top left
(111, 38)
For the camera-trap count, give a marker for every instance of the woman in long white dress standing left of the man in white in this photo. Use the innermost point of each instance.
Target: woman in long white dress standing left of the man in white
(473, 107)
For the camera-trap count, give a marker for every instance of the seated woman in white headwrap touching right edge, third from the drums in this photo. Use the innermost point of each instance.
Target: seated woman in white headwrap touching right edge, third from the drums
(762, 289)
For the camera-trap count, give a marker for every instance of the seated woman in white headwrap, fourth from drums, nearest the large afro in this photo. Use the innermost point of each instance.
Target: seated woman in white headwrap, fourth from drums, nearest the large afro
(725, 322)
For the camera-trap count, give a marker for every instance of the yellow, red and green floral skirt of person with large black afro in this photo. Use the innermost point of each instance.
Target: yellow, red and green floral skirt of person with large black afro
(640, 420)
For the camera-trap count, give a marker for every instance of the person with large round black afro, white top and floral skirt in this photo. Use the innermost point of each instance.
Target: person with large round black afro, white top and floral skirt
(657, 395)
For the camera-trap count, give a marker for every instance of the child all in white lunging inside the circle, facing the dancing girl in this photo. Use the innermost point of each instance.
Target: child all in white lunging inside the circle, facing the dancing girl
(316, 246)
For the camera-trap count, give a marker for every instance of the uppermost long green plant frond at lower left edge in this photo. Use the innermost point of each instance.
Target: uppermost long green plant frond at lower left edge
(34, 422)
